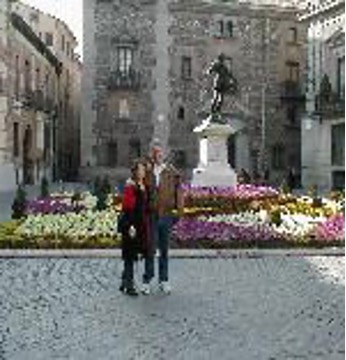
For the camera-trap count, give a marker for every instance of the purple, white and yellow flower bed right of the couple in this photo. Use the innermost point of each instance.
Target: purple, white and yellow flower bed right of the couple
(251, 215)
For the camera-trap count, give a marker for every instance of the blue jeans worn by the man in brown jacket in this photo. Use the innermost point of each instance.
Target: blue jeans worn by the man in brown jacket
(161, 230)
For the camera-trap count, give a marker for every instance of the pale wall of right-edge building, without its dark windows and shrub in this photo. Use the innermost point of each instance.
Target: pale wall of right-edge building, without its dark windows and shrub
(325, 45)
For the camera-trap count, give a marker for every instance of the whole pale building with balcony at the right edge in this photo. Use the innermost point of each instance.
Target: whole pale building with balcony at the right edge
(323, 127)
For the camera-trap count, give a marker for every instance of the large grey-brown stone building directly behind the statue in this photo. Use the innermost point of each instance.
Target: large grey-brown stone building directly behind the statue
(146, 76)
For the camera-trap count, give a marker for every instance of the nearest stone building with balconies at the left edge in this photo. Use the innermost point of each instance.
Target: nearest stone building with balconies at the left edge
(30, 80)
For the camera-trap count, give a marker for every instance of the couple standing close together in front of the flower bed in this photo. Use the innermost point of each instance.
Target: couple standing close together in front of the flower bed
(152, 198)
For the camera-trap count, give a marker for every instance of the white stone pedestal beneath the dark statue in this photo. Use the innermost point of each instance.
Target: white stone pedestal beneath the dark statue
(213, 168)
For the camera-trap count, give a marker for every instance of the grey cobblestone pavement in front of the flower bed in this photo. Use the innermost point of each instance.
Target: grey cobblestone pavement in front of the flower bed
(269, 308)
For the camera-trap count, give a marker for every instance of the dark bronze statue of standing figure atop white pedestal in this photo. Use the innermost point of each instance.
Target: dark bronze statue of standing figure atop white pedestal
(224, 83)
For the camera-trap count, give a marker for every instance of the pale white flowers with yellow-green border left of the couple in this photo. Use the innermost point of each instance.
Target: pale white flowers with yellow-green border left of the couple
(69, 230)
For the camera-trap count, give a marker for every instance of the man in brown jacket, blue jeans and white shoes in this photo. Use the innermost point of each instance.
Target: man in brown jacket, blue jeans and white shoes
(166, 201)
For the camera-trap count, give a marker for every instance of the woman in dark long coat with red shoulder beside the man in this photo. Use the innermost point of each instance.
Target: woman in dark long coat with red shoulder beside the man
(134, 227)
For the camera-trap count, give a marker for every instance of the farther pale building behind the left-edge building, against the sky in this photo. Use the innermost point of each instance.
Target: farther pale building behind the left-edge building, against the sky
(62, 43)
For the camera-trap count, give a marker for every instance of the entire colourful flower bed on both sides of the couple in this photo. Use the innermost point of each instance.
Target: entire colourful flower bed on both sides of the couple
(243, 216)
